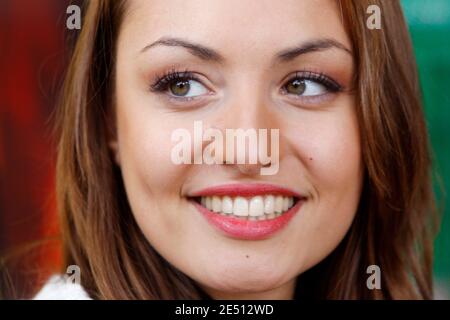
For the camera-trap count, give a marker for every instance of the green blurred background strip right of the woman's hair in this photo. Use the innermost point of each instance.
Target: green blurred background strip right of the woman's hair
(429, 23)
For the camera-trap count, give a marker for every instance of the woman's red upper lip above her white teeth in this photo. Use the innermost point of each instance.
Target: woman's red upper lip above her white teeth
(246, 190)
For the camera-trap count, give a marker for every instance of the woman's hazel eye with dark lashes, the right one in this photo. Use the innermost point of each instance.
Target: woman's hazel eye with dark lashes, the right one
(310, 84)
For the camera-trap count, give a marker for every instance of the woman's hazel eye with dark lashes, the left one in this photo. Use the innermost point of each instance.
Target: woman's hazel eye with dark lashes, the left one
(179, 85)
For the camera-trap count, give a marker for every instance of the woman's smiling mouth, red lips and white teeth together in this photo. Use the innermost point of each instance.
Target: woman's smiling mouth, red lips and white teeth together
(248, 211)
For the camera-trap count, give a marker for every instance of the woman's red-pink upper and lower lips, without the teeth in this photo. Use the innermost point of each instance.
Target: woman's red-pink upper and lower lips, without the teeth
(243, 228)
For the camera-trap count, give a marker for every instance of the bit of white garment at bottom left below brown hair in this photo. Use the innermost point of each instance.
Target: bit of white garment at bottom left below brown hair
(57, 288)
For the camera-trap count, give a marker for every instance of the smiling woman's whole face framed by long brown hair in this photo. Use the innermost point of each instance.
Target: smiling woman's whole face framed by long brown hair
(243, 77)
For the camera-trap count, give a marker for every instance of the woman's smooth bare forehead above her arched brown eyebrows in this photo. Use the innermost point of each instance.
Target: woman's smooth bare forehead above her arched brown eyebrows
(235, 27)
